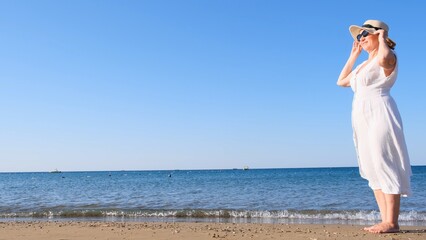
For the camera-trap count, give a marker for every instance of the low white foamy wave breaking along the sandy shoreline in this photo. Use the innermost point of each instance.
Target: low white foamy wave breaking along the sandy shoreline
(297, 216)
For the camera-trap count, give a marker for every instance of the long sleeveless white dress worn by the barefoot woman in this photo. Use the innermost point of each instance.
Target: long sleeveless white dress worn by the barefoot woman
(378, 132)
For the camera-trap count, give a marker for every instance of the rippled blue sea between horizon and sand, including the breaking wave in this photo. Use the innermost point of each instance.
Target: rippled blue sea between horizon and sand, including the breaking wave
(303, 195)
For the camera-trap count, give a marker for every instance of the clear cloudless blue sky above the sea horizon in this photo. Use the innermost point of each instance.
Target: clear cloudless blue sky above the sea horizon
(139, 85)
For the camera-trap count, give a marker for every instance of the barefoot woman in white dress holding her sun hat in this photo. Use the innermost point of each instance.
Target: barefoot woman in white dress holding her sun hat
(378, 135)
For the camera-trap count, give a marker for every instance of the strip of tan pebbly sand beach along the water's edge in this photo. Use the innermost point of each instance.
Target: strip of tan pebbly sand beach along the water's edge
(194, 231)
